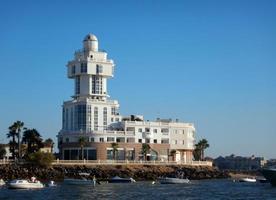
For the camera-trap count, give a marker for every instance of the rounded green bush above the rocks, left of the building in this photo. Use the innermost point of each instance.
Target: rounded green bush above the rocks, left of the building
(41, 159)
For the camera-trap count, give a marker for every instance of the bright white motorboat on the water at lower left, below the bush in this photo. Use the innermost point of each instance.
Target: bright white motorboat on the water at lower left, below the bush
(24, 184)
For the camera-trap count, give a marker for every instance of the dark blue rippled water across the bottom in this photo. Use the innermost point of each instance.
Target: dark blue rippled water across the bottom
(207, 189)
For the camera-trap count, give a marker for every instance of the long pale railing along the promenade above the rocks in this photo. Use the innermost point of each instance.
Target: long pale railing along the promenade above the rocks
(130, 162)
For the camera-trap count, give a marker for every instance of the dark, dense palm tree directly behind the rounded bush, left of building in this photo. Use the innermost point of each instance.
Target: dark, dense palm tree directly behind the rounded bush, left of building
(32, 138)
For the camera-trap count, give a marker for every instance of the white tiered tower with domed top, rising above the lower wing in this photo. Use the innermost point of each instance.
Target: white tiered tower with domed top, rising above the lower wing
(91, 109)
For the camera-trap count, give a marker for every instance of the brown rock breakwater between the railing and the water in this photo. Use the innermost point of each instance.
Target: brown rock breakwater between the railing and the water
(103, 172)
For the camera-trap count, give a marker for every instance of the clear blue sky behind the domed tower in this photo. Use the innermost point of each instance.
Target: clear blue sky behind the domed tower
(207, 62)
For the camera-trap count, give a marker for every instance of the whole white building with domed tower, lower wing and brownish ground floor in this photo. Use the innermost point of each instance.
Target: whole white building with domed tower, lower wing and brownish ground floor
(92, 115)
